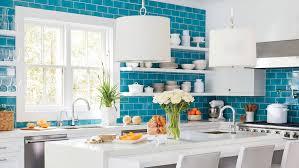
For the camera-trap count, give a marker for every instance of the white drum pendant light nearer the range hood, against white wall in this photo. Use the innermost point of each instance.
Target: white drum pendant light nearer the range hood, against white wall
(232, 47)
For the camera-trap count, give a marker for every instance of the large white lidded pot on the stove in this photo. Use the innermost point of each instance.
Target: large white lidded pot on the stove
(277, 113)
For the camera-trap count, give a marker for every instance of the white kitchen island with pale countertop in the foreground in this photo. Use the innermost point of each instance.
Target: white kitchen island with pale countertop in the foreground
(78, 154)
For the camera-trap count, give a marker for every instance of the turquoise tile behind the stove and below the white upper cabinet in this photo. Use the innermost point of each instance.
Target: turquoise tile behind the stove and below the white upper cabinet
(280, 78)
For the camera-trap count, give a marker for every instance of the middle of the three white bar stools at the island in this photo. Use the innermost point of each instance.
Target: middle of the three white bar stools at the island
(255, 157)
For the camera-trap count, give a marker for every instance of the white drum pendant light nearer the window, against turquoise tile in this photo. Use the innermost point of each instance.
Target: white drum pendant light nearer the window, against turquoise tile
(142, 38)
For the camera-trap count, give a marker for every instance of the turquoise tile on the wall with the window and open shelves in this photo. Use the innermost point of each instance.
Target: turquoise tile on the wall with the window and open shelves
(181, 18)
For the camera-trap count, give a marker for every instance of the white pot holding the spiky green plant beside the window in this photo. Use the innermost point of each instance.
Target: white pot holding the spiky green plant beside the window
(109, 116)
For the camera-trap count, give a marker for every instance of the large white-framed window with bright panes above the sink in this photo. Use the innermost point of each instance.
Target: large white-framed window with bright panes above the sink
(61, 60)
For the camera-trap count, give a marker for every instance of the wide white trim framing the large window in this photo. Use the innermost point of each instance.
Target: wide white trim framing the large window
(23, 13)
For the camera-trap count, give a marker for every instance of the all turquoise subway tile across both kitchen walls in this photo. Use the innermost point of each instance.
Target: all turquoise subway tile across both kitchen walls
(181, 18)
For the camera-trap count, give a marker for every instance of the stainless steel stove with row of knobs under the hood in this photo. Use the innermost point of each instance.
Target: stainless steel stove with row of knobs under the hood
(287, 130)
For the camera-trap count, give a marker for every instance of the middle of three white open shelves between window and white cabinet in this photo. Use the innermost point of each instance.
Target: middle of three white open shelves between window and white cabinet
(163, 70)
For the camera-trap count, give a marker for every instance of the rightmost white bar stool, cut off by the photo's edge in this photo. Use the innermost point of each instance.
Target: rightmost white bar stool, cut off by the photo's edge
(290, 156)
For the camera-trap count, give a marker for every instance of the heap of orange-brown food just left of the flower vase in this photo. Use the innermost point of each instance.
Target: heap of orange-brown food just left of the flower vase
(156, 125)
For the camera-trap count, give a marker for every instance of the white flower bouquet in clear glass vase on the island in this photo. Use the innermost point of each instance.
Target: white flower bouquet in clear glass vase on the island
(173, 103)
